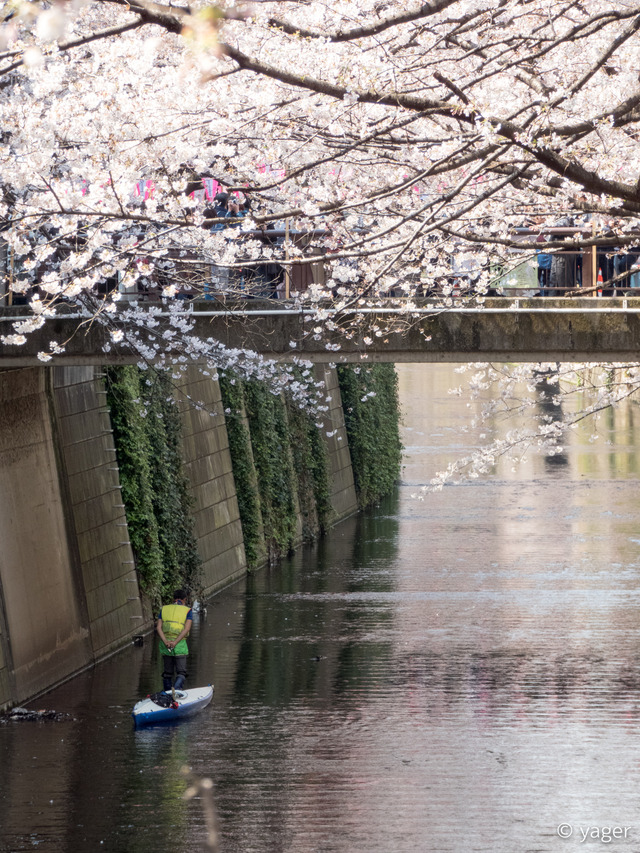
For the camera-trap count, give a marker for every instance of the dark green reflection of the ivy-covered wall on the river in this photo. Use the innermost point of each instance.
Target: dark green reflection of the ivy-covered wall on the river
(319, 608)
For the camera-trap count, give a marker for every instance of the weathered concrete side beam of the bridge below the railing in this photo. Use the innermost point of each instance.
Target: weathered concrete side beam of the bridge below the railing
(503, 329)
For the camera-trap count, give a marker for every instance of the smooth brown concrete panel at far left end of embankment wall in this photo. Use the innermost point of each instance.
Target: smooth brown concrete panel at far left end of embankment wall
(47, 635)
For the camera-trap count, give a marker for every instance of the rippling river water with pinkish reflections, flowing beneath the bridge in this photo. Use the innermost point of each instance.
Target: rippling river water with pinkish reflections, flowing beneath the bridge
(457, 673)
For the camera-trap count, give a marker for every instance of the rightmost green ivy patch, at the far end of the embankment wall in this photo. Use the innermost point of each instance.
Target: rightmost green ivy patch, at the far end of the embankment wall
(372, 418)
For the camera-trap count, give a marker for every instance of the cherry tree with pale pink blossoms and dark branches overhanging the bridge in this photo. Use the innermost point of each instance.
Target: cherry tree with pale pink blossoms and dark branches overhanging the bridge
(404, 136)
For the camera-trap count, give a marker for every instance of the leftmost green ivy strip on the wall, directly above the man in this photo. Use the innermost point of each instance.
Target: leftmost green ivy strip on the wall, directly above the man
(147, 434)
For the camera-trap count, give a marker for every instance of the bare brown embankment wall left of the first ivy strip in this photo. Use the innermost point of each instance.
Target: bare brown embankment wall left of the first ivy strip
(68, 588)
